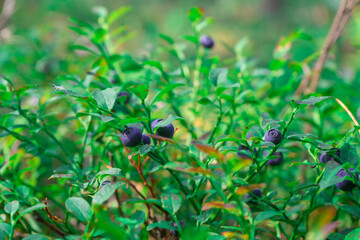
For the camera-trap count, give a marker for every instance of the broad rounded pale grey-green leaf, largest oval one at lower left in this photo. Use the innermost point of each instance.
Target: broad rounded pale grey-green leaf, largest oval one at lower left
(79, 207)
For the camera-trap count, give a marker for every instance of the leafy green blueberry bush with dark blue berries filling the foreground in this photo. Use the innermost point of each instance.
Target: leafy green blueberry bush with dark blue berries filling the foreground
(177, 143)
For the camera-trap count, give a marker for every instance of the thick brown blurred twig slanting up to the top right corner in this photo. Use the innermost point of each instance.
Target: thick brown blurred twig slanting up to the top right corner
(342, 17)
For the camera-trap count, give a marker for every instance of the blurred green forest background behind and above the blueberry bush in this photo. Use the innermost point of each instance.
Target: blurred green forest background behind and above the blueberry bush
(35, 38)
